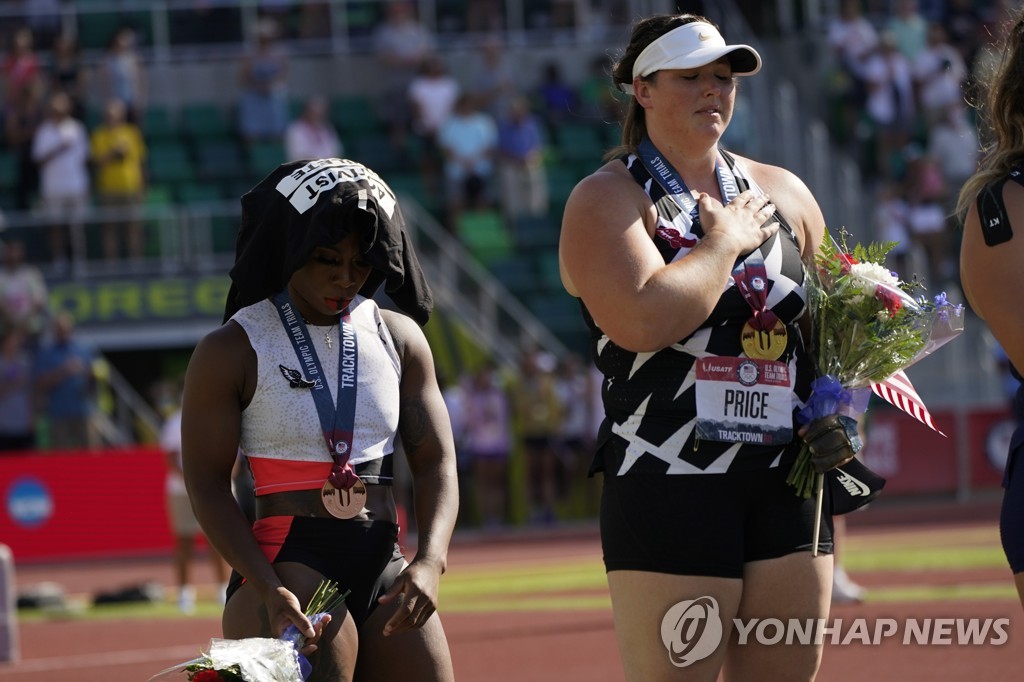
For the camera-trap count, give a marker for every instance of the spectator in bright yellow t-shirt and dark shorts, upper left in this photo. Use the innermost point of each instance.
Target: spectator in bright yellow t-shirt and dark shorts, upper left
(119, 159)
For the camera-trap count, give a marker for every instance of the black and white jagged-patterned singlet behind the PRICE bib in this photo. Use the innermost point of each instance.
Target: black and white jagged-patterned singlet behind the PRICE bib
(651, 398)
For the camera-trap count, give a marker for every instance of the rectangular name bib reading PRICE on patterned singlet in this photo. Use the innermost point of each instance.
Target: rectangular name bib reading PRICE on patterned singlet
(742, 400)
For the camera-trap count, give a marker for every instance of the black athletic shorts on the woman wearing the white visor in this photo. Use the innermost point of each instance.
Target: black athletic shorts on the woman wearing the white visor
(705, 525)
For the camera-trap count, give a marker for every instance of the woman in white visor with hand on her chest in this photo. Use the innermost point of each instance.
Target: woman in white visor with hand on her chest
(689, 263)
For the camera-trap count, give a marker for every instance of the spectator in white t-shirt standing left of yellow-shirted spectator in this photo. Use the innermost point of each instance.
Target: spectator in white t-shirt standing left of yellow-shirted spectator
(61, 150)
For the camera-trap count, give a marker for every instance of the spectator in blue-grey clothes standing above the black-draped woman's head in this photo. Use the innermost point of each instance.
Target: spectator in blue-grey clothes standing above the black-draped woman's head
(264, 79)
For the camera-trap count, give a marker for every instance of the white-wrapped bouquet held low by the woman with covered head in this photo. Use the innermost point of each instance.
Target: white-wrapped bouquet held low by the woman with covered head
(261, 659)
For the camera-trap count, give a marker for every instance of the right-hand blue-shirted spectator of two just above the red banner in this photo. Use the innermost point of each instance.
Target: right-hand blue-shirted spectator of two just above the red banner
(66, 387)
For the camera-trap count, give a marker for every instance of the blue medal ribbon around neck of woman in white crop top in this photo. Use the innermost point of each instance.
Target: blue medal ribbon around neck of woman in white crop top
(337, 420)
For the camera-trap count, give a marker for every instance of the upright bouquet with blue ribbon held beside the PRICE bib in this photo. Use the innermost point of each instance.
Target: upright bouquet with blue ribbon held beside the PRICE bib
(868, 326)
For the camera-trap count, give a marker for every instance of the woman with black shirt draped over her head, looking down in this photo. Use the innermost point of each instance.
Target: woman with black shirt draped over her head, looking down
(314, 382)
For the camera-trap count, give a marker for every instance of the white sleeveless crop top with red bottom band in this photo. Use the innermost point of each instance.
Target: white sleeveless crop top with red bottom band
(281, 431)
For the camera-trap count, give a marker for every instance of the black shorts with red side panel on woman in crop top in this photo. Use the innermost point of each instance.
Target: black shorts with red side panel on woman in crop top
(362, 557)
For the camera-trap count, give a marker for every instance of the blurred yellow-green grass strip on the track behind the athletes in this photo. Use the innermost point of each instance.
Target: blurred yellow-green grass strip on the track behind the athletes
(909, 566)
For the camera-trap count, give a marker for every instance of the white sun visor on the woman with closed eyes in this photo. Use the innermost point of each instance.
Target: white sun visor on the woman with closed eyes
(694, 46)
